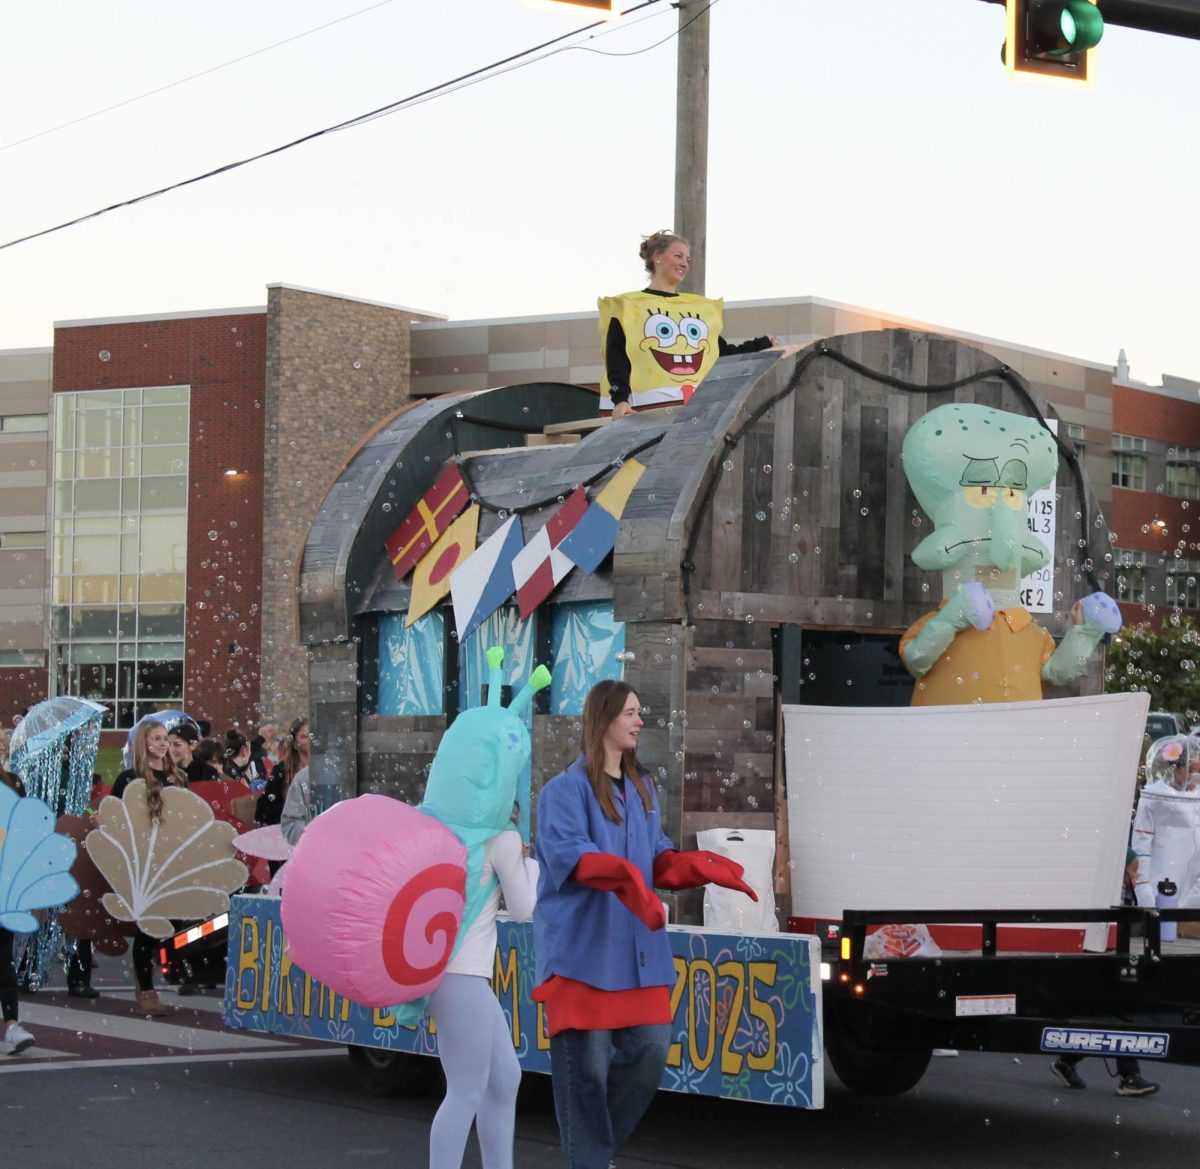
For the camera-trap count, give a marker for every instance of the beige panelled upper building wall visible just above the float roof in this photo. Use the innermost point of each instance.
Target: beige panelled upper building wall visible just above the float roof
(479, 355)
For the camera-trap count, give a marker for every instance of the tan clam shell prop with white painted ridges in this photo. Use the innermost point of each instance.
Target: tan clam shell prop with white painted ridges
(179, 867)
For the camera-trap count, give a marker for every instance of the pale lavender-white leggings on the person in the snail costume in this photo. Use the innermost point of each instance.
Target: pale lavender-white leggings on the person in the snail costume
(482, 1070)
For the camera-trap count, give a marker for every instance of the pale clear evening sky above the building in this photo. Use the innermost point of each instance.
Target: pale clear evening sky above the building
(869, 152)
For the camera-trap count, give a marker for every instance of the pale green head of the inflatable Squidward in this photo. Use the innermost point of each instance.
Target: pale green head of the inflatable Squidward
(971, 469)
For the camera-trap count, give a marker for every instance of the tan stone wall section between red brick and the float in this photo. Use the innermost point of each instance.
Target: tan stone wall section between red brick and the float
(335, 367)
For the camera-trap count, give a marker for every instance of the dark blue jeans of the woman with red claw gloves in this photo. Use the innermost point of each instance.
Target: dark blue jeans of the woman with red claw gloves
(604, 1082)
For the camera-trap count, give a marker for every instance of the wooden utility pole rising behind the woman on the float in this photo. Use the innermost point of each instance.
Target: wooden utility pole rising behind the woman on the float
(692, 136)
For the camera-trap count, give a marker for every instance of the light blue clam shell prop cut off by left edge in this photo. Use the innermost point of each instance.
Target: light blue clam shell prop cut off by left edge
(35, 862)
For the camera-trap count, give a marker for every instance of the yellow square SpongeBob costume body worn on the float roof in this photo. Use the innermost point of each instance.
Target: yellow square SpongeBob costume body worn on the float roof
(671, 344)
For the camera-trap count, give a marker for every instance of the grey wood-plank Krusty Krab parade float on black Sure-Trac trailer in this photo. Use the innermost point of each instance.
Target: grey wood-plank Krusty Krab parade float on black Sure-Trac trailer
(950, 874)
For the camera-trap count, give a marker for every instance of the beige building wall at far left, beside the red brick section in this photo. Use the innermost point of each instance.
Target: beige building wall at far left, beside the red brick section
(25, 469)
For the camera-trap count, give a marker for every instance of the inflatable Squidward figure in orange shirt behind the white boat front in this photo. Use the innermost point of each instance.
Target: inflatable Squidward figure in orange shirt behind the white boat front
(971, 469)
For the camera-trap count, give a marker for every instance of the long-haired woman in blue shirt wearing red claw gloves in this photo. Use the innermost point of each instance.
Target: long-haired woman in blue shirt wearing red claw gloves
(604, 963)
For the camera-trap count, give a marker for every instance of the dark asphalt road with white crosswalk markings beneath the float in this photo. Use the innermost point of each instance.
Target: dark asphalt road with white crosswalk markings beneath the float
(107, 1088)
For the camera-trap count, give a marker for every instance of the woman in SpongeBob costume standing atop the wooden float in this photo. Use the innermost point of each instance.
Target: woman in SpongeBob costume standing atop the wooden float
(659, 344)
